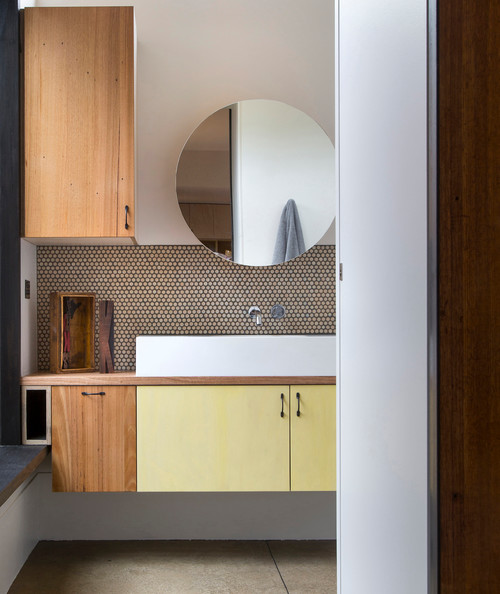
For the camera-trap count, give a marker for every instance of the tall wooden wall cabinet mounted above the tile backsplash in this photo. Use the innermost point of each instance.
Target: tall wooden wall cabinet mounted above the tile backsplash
(79, 123)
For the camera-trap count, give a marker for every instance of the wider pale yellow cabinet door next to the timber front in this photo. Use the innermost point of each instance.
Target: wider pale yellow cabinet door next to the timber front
(212, 438)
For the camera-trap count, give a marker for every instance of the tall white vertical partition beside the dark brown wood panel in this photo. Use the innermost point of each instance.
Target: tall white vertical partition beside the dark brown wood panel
(383, 314)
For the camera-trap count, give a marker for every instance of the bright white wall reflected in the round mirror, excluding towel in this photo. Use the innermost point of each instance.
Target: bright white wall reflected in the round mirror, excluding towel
(282, 154)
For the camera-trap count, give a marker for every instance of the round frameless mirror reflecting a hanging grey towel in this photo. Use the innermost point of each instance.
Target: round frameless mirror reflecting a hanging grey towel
(256, 182)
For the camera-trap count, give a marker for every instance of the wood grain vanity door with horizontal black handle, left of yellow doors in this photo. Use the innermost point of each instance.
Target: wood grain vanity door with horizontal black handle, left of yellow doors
(93, 438)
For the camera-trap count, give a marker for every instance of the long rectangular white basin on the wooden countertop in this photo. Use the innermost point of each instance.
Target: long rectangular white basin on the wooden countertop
(191, 356)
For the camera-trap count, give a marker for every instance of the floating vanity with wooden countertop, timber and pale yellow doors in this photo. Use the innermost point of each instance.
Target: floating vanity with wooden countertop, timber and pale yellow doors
(125, 432)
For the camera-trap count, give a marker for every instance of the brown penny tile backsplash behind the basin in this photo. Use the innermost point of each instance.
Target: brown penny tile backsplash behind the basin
(186, 290)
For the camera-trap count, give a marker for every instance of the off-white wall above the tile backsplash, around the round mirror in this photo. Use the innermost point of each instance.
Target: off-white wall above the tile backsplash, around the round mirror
(195, 57)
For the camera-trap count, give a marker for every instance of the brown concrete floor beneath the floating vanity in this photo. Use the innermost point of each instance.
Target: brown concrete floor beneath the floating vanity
(154, 567)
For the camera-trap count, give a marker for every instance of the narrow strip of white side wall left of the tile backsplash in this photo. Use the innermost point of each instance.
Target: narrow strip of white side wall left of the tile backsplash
(28, 309)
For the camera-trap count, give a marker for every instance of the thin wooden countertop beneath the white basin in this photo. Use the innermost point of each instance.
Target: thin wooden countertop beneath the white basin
(129, 378)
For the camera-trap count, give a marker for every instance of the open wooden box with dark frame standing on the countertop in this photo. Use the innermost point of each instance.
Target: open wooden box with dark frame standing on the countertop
(72, 319)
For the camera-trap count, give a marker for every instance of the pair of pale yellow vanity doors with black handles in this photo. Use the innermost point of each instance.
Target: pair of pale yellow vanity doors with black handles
(233, 438)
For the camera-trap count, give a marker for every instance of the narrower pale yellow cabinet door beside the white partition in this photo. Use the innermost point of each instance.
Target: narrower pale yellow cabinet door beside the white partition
(313, 438)
